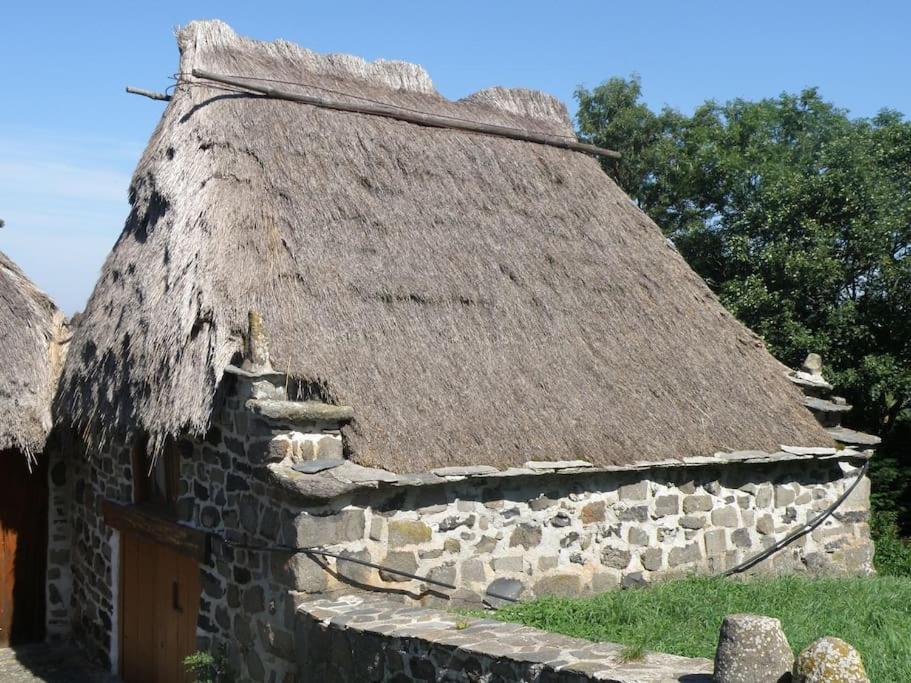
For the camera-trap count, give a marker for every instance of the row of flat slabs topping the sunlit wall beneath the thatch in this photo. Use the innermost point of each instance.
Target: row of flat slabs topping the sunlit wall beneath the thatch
(346, 476)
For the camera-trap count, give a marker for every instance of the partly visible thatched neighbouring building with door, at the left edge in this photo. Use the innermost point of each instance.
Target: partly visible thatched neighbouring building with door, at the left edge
(32, 339)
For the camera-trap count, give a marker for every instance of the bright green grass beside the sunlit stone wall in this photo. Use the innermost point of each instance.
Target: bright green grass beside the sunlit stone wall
(683, 617)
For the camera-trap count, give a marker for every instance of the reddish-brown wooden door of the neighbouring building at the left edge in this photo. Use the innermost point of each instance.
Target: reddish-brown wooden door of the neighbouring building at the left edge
(23, 548)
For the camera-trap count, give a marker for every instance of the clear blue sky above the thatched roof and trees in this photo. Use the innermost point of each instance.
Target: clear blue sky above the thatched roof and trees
(70, 136)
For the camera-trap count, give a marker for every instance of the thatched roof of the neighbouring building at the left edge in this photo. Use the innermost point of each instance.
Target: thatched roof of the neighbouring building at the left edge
(31, 357)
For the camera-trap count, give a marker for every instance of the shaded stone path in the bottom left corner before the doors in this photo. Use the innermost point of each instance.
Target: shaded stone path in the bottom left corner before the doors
(51, 663)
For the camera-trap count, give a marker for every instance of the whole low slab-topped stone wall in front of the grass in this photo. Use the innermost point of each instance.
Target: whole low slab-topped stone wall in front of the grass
(369, 639)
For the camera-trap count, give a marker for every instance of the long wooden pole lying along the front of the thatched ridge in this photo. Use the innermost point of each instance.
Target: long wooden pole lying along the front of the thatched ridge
(419, 118)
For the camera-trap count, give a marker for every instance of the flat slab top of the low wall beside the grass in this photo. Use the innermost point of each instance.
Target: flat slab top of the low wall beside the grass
(501, 640)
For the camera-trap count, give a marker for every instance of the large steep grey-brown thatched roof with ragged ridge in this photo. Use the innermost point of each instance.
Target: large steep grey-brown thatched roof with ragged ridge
(475, 299)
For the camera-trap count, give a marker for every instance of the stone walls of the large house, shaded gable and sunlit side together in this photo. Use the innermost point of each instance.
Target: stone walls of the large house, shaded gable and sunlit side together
(539, 530)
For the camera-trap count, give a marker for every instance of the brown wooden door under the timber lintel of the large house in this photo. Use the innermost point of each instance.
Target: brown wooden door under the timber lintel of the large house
(160, 593)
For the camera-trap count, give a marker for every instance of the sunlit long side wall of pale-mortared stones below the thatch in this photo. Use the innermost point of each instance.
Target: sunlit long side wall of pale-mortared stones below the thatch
(576, 534)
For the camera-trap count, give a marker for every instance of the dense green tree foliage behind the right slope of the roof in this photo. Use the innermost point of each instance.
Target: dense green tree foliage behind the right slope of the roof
(799, 217)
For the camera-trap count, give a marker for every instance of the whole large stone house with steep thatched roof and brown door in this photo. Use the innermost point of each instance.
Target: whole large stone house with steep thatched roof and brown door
(336, 351)
